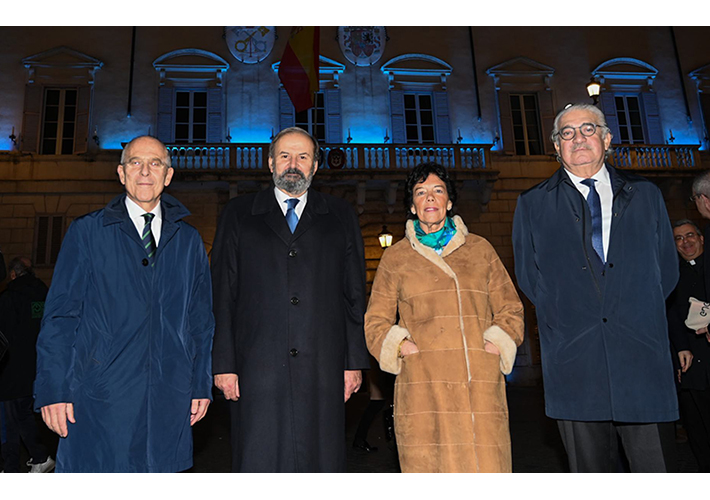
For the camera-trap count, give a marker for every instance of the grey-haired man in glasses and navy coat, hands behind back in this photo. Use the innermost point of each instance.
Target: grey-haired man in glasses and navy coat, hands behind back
(594, 252)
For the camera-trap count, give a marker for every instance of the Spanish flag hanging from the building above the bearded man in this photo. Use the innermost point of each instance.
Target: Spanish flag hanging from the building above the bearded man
(298, 70)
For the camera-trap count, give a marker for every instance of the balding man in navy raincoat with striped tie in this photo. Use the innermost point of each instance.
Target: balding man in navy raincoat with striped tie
(124, 353)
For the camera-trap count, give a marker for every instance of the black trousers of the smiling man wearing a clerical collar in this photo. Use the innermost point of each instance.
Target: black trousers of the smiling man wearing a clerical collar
(695, 415)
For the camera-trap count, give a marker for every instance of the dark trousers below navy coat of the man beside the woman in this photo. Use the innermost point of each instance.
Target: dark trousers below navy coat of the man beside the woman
(593, 446)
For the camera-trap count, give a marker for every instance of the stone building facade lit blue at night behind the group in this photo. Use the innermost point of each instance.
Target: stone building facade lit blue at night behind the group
(480, 100)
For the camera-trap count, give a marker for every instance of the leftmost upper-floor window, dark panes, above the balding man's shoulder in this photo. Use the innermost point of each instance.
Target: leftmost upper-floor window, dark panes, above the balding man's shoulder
(58, 121)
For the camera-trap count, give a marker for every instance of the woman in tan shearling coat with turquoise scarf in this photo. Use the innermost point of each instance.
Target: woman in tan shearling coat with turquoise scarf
(460, 322)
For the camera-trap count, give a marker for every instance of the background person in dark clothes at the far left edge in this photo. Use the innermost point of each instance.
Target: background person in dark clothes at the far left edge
(21, 307)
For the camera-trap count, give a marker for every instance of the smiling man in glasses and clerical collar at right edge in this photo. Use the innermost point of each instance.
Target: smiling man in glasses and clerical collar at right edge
(691, 349)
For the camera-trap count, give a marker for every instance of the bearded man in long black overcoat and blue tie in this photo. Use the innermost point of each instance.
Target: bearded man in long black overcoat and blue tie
(288, 274)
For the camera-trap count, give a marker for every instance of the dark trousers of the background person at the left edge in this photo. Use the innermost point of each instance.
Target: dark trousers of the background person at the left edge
(19, 423)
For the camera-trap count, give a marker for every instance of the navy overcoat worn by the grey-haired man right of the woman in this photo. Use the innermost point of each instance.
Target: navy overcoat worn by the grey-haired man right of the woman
(603, 329)
